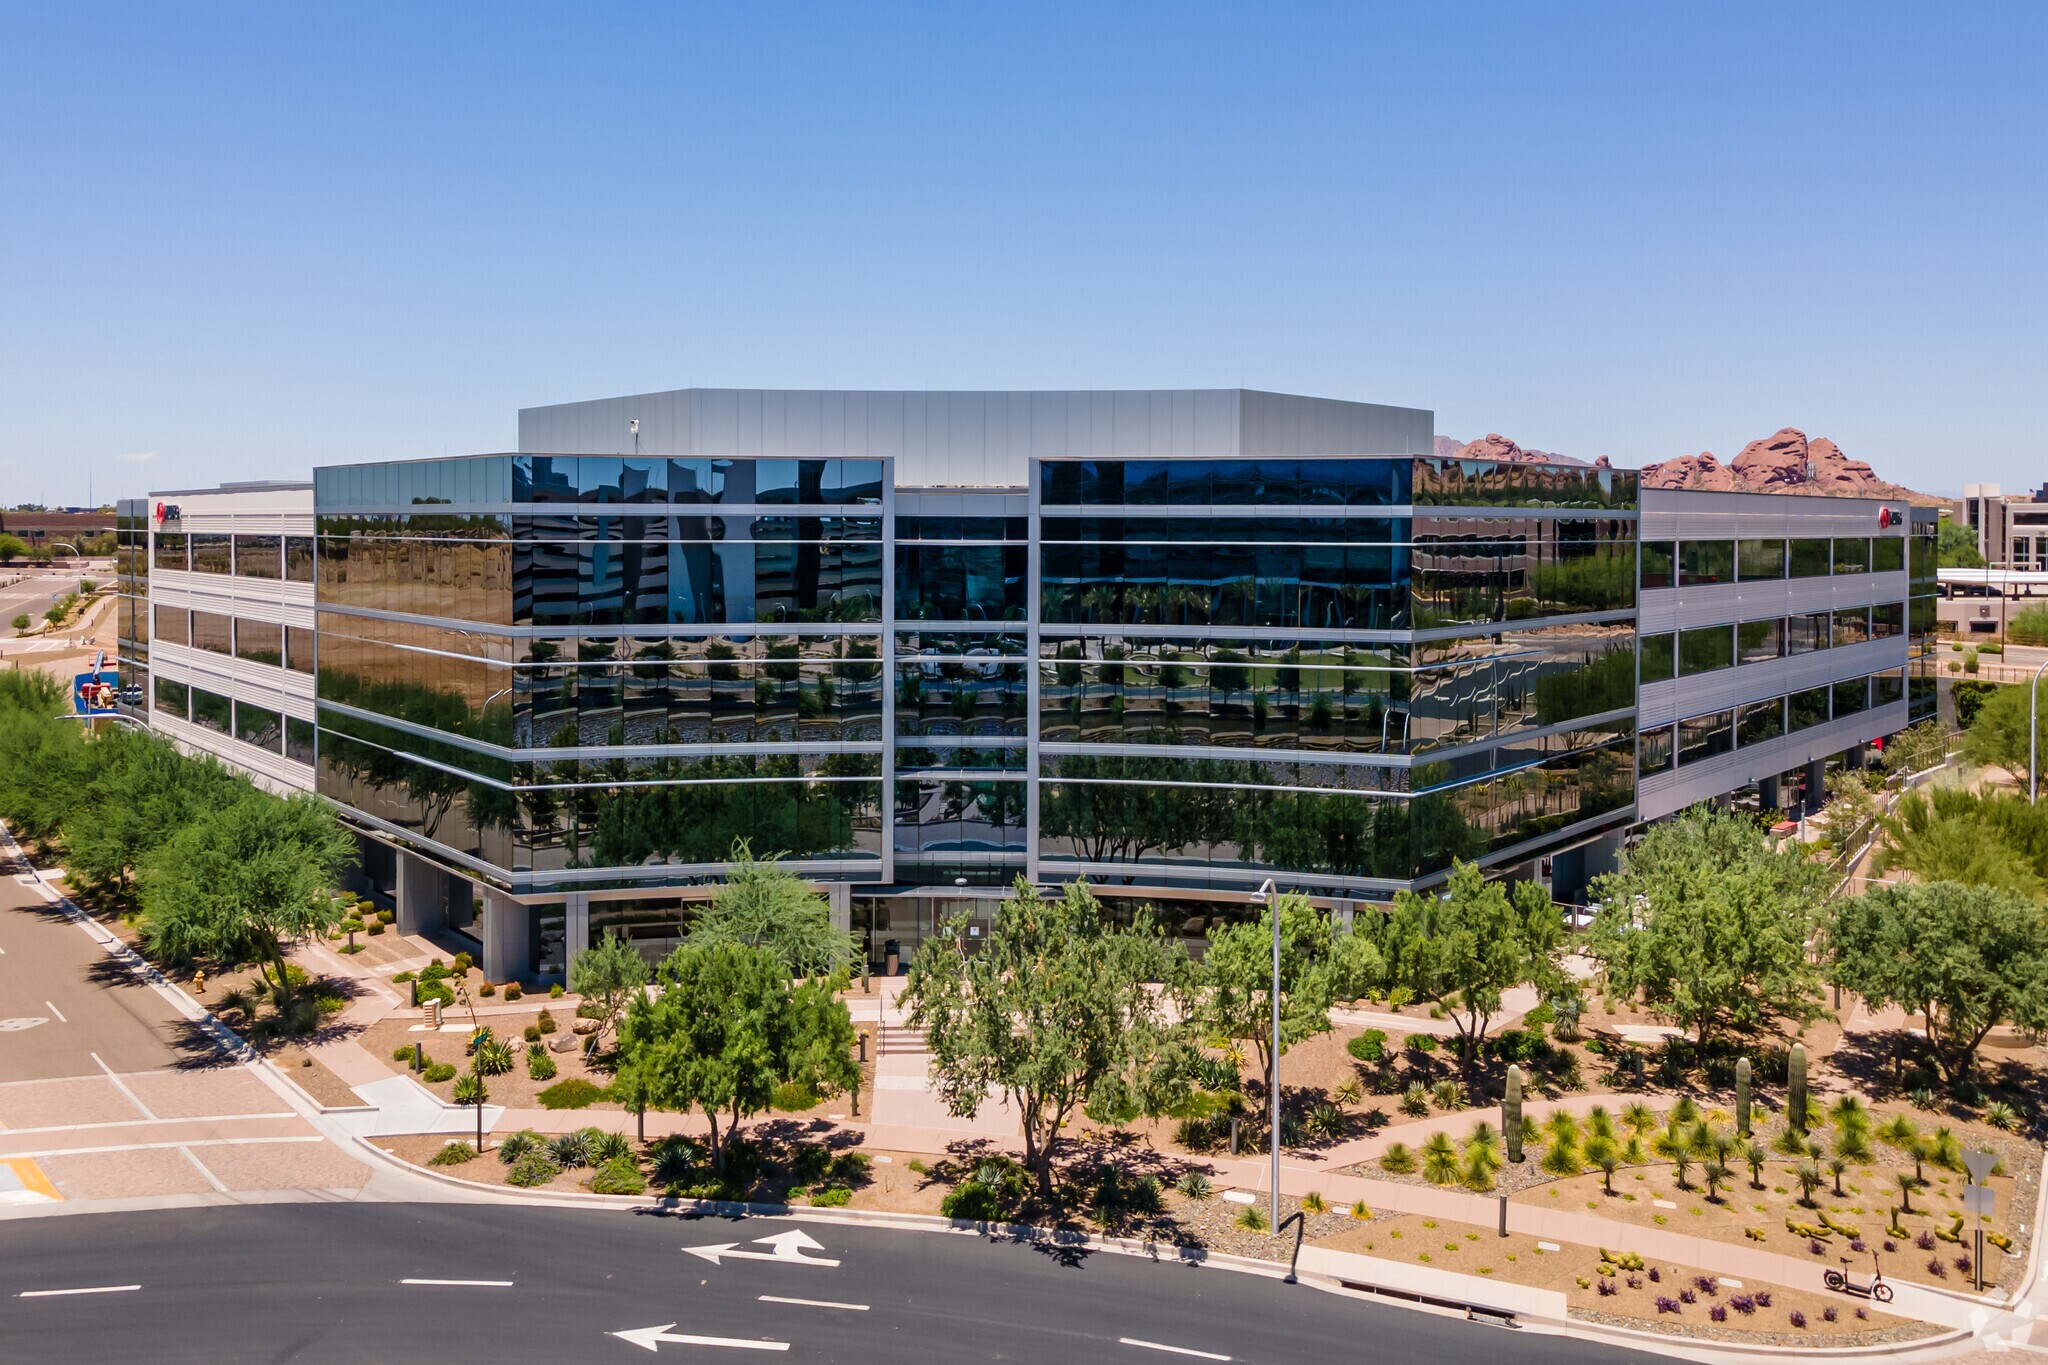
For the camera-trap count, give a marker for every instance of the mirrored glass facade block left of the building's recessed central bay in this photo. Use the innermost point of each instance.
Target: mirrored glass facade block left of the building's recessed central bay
(603, 672)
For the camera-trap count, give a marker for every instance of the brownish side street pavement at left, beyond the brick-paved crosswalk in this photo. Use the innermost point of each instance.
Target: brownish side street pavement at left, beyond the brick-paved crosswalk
(89, 1006)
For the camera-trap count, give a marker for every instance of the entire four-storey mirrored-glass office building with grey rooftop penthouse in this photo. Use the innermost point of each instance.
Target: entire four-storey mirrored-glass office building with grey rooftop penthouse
(925, 644)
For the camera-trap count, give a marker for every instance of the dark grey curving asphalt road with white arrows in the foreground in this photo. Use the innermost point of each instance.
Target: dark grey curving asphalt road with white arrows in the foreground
(312, 1282)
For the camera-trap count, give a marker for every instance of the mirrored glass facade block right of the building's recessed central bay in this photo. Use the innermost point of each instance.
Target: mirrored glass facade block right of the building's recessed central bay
(1342, 670)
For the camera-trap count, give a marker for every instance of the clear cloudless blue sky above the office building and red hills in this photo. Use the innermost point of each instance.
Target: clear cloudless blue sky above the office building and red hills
(241, 243)
